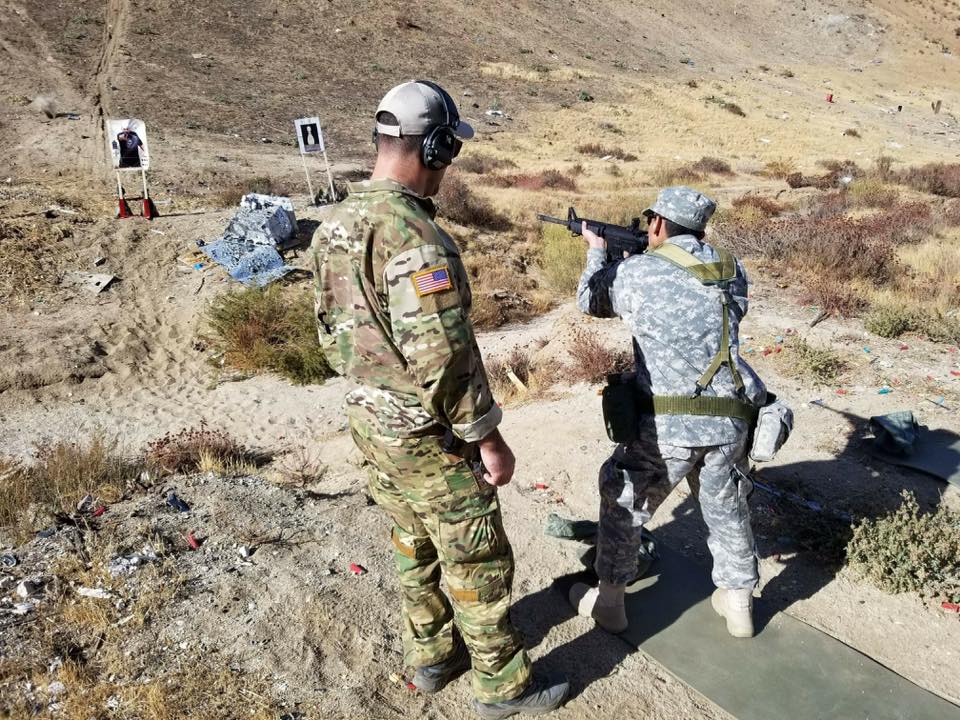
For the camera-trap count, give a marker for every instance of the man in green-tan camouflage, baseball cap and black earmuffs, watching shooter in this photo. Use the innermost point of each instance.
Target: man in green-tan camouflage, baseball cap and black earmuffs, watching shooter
(393, 306)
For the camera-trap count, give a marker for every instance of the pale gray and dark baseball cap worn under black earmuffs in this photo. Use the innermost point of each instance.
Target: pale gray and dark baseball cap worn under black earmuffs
(420, 106)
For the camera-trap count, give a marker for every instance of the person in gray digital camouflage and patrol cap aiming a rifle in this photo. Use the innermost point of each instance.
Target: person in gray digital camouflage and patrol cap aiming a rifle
(679, 332)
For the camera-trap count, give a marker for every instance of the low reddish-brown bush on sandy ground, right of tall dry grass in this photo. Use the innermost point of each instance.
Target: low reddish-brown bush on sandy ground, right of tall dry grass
(199, 449)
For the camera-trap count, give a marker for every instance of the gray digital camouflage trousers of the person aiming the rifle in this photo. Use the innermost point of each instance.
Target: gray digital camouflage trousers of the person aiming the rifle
(637, 479)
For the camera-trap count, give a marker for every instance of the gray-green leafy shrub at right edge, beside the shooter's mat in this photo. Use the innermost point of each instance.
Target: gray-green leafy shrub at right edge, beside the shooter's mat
(909, 551)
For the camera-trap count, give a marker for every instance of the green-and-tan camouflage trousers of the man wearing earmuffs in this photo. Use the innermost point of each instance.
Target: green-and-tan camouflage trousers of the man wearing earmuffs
(447, 521)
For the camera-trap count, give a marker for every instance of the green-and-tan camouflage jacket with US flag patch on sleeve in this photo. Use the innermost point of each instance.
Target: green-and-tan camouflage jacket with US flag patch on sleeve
(393, 304)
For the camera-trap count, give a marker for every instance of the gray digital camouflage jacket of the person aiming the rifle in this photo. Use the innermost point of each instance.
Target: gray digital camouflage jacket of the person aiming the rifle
(676, 327)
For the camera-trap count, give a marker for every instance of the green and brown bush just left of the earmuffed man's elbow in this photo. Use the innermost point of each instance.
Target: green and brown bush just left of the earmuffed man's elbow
(267, 330)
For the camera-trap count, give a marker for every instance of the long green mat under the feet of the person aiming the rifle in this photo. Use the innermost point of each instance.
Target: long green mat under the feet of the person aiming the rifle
(789, 670)
